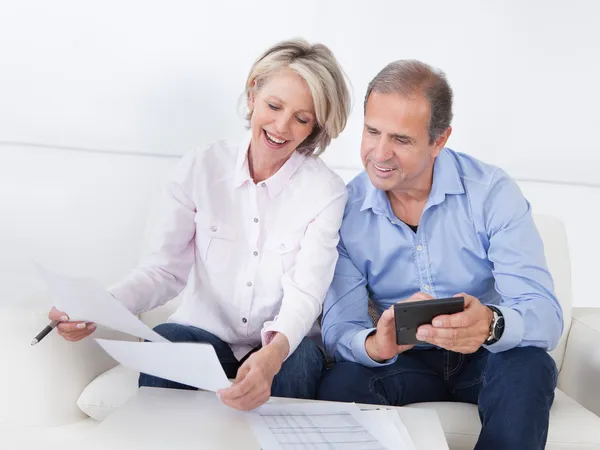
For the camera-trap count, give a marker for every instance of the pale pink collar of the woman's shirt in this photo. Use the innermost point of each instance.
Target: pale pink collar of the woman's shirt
(275, 183)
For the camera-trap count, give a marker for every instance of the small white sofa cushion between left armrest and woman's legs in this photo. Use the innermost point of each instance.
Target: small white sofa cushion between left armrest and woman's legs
(108, 392)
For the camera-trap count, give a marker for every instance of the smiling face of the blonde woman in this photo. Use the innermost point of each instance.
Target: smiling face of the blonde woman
(283, 117)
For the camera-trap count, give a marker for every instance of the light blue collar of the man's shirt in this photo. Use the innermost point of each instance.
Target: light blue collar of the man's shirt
(446, 180)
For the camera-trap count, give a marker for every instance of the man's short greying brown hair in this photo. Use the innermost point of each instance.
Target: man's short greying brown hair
(410, 77)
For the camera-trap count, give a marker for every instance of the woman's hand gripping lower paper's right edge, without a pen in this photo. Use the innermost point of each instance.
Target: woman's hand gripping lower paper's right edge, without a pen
(252, 386)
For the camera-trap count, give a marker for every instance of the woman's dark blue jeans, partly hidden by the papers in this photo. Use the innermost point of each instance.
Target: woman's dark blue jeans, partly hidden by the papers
(298, 378)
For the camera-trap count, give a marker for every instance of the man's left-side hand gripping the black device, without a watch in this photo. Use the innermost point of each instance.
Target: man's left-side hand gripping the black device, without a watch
(381, 345)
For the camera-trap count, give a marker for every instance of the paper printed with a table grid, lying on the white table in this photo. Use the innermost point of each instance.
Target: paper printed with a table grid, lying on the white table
(313, 426)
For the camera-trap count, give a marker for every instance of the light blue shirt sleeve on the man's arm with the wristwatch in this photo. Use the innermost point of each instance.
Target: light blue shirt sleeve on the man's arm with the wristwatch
(532, 313)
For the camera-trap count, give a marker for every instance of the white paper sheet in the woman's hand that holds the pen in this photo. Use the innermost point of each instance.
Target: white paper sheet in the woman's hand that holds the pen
(85, 299)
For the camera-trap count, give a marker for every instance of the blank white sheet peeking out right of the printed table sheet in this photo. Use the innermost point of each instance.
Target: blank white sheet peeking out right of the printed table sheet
(392, 432)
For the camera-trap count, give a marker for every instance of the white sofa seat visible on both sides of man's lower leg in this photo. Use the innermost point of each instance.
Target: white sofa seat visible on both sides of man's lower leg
(571, 425)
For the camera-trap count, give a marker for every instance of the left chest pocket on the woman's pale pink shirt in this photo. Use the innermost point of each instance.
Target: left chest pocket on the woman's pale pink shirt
(216, 244)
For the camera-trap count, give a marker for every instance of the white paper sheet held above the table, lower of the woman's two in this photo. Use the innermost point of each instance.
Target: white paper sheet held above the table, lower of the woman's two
(189, 363)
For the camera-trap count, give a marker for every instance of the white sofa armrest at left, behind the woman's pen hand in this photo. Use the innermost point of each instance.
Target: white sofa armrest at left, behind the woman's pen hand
(40, 385)
